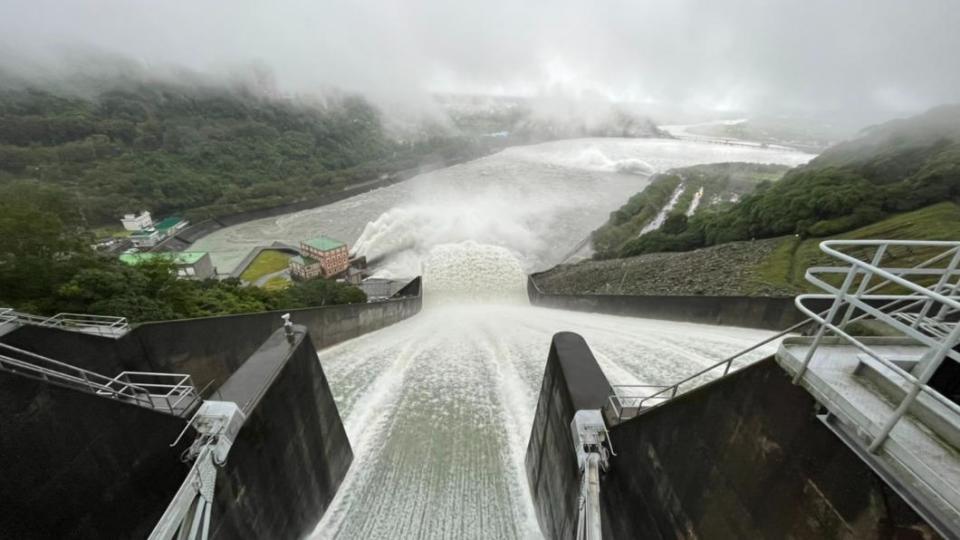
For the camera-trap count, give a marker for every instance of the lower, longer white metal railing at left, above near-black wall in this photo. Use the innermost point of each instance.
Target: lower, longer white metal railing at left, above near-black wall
(173, 393)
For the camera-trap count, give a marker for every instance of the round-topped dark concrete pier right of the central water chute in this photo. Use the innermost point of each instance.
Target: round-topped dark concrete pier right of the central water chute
(572, 381)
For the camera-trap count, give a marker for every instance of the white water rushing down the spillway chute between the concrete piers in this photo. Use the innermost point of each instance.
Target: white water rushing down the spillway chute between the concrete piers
(439, 408)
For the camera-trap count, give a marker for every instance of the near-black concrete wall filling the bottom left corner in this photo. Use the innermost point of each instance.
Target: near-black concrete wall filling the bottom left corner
(80, 466)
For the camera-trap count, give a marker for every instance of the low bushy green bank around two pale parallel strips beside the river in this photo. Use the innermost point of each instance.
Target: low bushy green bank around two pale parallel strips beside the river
(722, 183)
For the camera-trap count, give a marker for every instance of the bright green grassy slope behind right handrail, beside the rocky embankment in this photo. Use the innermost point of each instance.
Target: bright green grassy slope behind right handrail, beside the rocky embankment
(785, 267)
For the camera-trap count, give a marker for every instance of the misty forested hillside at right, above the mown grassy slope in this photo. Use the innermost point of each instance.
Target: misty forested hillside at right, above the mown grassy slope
(896, 167)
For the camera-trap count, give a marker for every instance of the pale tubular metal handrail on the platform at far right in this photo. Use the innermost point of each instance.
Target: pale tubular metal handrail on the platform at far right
(939, 346)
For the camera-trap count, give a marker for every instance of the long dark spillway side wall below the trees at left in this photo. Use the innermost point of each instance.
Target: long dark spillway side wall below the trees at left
(210, 348)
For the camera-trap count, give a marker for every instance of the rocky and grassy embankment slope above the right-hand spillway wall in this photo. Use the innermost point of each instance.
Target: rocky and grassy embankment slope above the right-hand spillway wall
(770, 267)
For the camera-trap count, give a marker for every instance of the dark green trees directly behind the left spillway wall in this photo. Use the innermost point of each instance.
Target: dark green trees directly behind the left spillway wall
(47, 266)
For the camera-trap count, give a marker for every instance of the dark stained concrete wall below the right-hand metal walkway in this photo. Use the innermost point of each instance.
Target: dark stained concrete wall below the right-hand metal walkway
(745, 457)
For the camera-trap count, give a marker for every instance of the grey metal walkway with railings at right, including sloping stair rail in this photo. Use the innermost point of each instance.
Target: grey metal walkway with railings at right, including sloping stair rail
(875, 389)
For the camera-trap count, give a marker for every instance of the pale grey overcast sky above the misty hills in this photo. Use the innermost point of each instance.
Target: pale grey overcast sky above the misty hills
(895, 56)
